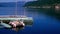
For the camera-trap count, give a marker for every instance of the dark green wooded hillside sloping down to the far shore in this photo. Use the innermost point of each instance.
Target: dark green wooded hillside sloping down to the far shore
(42, 2)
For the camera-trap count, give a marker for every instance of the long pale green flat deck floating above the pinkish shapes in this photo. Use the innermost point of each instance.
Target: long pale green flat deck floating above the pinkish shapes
(7, 19)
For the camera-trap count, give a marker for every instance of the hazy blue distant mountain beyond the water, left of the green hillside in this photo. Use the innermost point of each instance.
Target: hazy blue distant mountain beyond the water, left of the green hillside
(12, 4)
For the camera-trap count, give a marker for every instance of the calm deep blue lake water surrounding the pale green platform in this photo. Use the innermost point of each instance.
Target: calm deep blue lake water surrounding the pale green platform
(43, 23)
